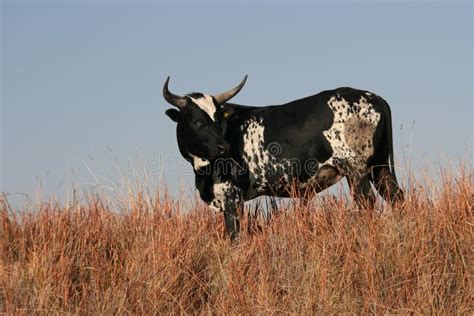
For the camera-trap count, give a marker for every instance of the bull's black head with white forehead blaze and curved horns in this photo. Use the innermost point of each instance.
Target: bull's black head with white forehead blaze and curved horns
(199, 132)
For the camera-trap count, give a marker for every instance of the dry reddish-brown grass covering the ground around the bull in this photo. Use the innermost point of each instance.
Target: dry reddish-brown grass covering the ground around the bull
(90, 259)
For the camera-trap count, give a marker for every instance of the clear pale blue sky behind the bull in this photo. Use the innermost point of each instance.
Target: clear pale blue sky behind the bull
(81, 81)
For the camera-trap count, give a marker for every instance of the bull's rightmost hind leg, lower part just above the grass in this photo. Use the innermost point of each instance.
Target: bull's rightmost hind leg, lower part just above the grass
(386, 184)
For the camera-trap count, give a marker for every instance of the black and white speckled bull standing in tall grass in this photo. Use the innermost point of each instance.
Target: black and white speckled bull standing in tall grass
(242, 152)
